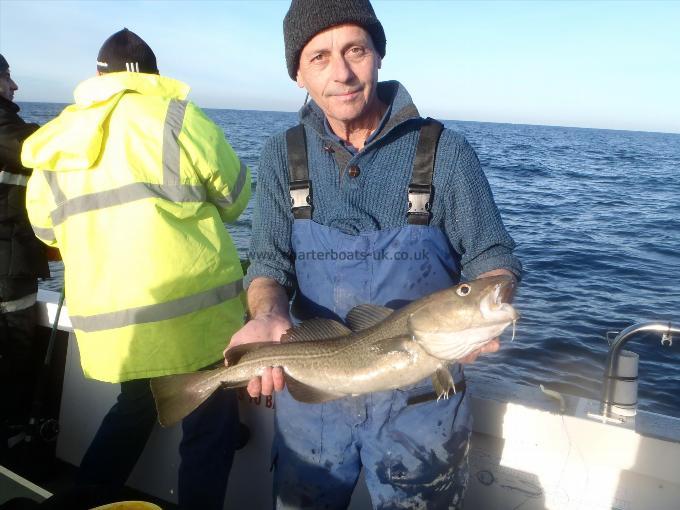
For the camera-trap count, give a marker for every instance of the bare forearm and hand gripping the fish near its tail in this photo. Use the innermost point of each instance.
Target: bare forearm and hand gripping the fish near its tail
(268, 305)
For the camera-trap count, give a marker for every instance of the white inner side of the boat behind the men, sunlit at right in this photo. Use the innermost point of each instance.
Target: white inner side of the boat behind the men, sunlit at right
(526, 452)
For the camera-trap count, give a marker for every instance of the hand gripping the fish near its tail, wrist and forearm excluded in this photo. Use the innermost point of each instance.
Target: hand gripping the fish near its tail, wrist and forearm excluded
(262, 329)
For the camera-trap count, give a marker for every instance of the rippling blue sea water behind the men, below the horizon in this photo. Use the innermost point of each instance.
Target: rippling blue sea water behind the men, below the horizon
(596, 218)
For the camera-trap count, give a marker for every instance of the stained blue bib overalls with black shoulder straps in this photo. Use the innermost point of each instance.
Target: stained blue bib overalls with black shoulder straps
(412, 447)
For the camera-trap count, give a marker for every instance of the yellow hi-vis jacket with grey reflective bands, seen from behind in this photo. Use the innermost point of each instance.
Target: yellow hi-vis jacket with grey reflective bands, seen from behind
(133, 183)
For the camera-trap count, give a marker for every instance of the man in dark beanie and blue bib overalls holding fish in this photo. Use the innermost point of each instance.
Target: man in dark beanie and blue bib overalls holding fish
(363, 173)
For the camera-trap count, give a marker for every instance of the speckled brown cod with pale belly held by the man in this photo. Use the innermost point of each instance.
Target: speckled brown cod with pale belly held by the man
(382, 349)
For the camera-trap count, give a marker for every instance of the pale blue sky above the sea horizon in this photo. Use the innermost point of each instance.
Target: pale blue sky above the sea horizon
(607, 64)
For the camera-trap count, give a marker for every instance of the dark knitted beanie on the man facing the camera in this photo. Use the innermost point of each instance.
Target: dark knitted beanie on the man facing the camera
(306, 18)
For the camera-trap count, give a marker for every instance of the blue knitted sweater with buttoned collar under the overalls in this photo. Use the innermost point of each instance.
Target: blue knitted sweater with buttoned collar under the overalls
(377, 198)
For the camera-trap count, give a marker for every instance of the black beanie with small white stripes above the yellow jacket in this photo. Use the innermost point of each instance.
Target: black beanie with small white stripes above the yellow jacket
(126, 51)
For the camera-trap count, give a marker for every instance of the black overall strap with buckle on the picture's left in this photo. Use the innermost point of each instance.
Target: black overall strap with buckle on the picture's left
(300, 187)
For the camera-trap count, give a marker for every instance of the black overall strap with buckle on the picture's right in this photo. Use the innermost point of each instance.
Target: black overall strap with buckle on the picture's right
(420, 190)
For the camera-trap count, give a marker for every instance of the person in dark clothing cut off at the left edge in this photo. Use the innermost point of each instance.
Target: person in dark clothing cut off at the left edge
(22, 261)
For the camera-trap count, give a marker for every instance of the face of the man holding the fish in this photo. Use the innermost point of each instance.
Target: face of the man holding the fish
(339, 69)
